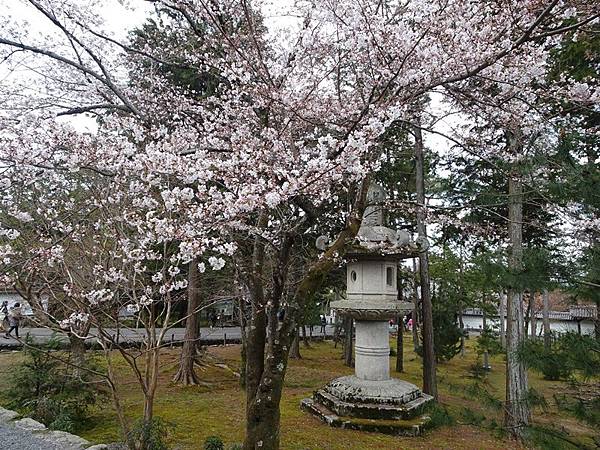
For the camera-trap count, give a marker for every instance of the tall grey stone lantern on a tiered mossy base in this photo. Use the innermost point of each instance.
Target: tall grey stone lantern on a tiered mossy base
(390, 405)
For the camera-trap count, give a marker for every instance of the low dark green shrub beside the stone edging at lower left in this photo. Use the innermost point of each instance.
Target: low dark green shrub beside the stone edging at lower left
(46, 388)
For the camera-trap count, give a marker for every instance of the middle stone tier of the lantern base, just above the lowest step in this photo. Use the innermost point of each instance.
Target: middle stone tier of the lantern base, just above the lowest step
(407, 411)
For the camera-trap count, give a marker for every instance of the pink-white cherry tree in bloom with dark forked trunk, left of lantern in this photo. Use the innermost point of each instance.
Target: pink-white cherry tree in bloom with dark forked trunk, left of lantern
(300, 122)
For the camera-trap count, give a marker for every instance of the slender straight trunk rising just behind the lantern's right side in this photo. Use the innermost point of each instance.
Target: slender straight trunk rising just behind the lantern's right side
(429, 369)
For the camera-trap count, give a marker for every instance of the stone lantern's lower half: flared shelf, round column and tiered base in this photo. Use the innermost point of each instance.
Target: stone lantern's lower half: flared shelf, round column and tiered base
(370, 400)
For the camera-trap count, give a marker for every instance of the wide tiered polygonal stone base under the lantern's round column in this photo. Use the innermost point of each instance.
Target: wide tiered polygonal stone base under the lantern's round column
(391, 406)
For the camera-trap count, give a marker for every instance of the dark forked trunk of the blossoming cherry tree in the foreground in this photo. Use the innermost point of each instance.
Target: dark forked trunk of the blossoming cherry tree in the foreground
(264, 385)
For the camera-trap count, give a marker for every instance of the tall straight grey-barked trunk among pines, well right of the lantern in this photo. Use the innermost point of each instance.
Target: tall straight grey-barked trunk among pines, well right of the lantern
(517, 413)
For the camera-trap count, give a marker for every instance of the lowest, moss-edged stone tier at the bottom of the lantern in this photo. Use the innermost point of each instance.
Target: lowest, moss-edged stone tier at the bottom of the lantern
(414, 427)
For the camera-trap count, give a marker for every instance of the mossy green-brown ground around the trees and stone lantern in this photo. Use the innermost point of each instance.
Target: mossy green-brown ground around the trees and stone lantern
(217, 408)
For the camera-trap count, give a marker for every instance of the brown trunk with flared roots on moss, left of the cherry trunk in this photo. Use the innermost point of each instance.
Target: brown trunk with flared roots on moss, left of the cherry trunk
(189, 351)
